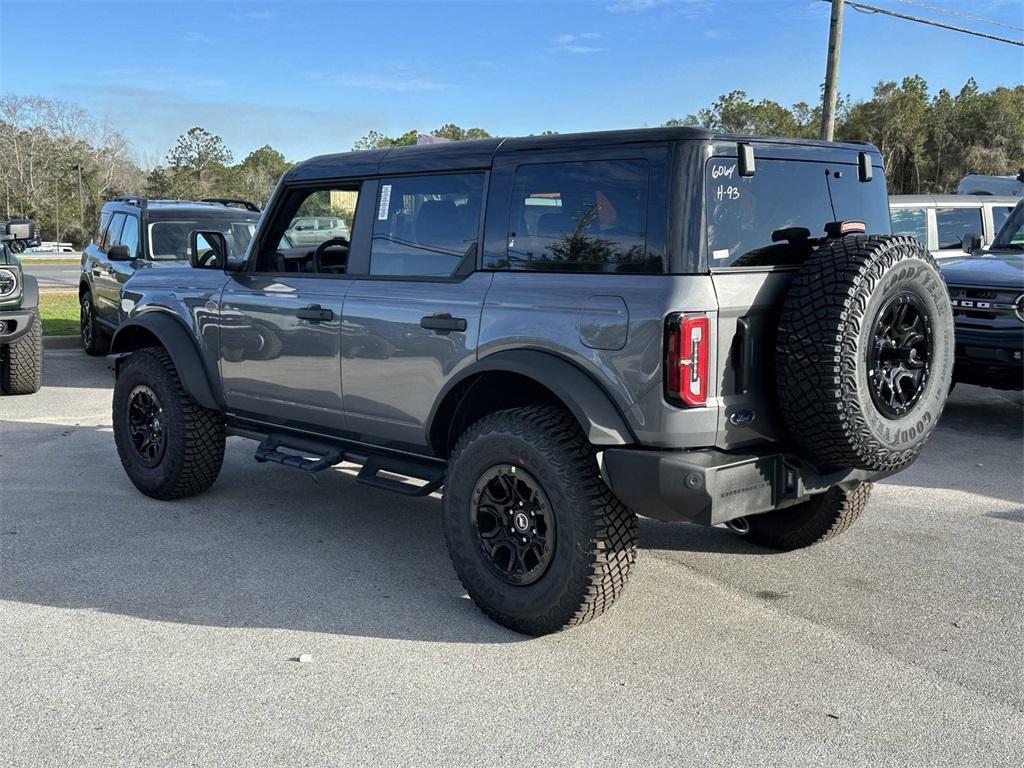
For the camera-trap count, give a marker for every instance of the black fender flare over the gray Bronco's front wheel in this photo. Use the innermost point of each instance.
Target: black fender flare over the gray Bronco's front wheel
(181, 345)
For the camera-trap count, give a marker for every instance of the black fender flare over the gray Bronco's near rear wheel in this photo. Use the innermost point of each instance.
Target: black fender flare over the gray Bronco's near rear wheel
(593, 408)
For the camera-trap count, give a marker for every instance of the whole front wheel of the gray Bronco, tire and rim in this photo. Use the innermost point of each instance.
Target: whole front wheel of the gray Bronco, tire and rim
(170, 447)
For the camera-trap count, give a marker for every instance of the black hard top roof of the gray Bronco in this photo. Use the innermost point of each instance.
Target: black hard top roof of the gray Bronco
(481, 153)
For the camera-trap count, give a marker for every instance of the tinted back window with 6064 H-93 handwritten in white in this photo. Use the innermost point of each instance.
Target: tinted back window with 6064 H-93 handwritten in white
(744, 211)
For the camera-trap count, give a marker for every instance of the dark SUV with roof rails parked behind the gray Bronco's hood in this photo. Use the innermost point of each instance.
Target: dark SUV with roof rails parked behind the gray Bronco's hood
(139, 234)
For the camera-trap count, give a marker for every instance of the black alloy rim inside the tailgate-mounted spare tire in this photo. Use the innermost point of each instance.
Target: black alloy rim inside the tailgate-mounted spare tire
(899, 360)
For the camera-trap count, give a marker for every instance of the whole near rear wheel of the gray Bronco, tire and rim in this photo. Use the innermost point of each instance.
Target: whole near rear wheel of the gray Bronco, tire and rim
(536, 537)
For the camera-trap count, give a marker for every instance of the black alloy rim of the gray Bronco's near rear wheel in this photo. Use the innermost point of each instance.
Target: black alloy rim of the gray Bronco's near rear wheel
(515, 525)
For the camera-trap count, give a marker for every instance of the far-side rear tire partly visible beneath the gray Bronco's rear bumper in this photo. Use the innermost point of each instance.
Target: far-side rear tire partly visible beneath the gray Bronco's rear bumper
(822, 518)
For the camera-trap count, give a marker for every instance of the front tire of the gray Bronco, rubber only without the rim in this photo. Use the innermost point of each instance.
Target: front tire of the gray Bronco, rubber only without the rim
(196, 436)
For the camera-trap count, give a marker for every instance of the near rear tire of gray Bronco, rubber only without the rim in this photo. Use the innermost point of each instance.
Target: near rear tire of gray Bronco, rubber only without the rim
(596, 535)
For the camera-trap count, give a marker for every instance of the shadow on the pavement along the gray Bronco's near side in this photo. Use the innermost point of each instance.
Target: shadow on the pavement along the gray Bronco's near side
(267, 547)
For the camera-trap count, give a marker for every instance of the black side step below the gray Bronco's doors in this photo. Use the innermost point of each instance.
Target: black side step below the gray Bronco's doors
(433, 474)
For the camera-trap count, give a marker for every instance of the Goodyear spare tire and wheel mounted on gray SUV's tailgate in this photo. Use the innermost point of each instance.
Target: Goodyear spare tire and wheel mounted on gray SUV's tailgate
(865, 353)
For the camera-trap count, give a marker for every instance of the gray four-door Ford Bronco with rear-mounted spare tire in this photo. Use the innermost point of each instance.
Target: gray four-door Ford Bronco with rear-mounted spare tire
(564, 332)
